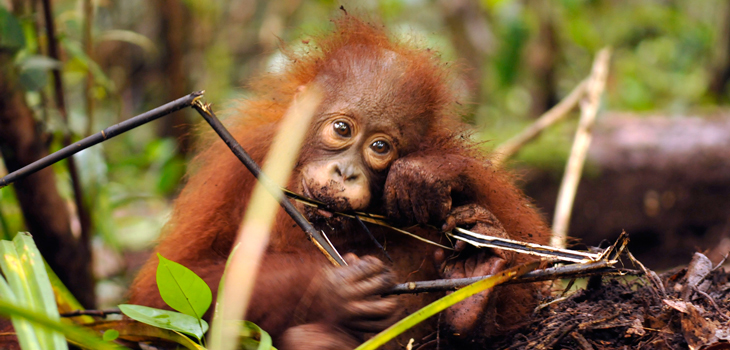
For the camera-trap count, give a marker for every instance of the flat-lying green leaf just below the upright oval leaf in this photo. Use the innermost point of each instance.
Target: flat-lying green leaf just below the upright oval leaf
(165, 319)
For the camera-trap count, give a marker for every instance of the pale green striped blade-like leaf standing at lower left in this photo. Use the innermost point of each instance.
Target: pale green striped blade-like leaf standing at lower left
(42, 298)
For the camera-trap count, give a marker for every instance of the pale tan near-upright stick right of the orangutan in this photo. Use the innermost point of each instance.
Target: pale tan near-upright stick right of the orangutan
(573, 170)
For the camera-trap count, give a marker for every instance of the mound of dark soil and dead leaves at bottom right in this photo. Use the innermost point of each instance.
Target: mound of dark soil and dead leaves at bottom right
(686, 308)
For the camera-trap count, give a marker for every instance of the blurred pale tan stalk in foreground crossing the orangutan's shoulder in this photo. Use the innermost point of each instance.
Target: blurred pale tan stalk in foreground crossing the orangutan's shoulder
(252, 239)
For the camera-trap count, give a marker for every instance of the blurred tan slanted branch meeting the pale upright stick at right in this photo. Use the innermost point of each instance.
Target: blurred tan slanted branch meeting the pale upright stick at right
(508, 148)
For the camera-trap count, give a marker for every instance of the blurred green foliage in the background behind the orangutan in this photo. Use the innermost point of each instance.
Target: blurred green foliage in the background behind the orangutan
(666, 55)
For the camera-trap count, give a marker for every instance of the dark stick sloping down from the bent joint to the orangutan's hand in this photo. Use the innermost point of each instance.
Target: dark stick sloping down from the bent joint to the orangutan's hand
(317, 237)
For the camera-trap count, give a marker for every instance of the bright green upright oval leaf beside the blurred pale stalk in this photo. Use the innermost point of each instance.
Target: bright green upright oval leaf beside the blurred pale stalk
(182, 289)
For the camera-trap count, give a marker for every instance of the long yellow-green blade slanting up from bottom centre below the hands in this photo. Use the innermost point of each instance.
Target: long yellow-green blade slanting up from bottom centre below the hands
(443, 303)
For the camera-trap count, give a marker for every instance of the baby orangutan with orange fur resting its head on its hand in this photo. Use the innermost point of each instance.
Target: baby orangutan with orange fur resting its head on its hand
(386, 139)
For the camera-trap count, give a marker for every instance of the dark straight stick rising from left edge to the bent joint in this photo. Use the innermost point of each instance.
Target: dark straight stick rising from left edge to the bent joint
(104, 135)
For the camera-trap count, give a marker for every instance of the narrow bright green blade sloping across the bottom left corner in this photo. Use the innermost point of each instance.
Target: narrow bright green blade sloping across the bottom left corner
(75, 334)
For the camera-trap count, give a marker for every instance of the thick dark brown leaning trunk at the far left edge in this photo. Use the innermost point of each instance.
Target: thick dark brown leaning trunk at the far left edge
(45, 212)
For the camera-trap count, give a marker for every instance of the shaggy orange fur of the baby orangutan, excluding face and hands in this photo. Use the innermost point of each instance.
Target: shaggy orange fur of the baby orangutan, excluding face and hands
(211, 206)
